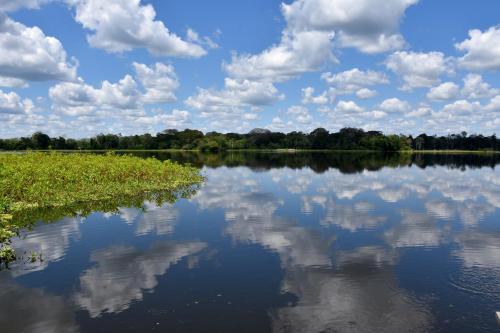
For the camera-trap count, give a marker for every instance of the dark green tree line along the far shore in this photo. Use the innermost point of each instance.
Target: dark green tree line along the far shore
(319, 139)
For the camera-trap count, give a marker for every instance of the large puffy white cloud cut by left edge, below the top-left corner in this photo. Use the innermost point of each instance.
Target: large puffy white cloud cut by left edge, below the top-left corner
(27, 54)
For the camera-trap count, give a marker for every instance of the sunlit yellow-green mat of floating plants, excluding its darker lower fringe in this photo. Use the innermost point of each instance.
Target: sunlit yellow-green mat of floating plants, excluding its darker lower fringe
(55, 179)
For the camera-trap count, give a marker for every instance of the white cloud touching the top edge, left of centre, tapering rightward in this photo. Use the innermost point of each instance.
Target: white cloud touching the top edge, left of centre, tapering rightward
(122, 25)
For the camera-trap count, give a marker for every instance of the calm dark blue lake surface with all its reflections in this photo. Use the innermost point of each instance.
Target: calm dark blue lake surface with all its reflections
(277, 243)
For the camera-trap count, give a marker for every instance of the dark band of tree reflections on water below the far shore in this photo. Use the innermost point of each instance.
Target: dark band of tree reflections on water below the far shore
(319, 162)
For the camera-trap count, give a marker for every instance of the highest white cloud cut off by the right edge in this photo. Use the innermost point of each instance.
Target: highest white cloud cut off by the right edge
(482, 50)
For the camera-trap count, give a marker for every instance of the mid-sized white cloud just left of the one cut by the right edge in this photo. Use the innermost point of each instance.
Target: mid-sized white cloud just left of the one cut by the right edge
(418, 70)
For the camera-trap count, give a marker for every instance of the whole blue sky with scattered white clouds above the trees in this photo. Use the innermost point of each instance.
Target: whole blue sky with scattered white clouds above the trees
(77, 68)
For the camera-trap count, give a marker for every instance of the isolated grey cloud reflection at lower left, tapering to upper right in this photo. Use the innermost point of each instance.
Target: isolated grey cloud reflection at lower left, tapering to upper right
(122, 274)
